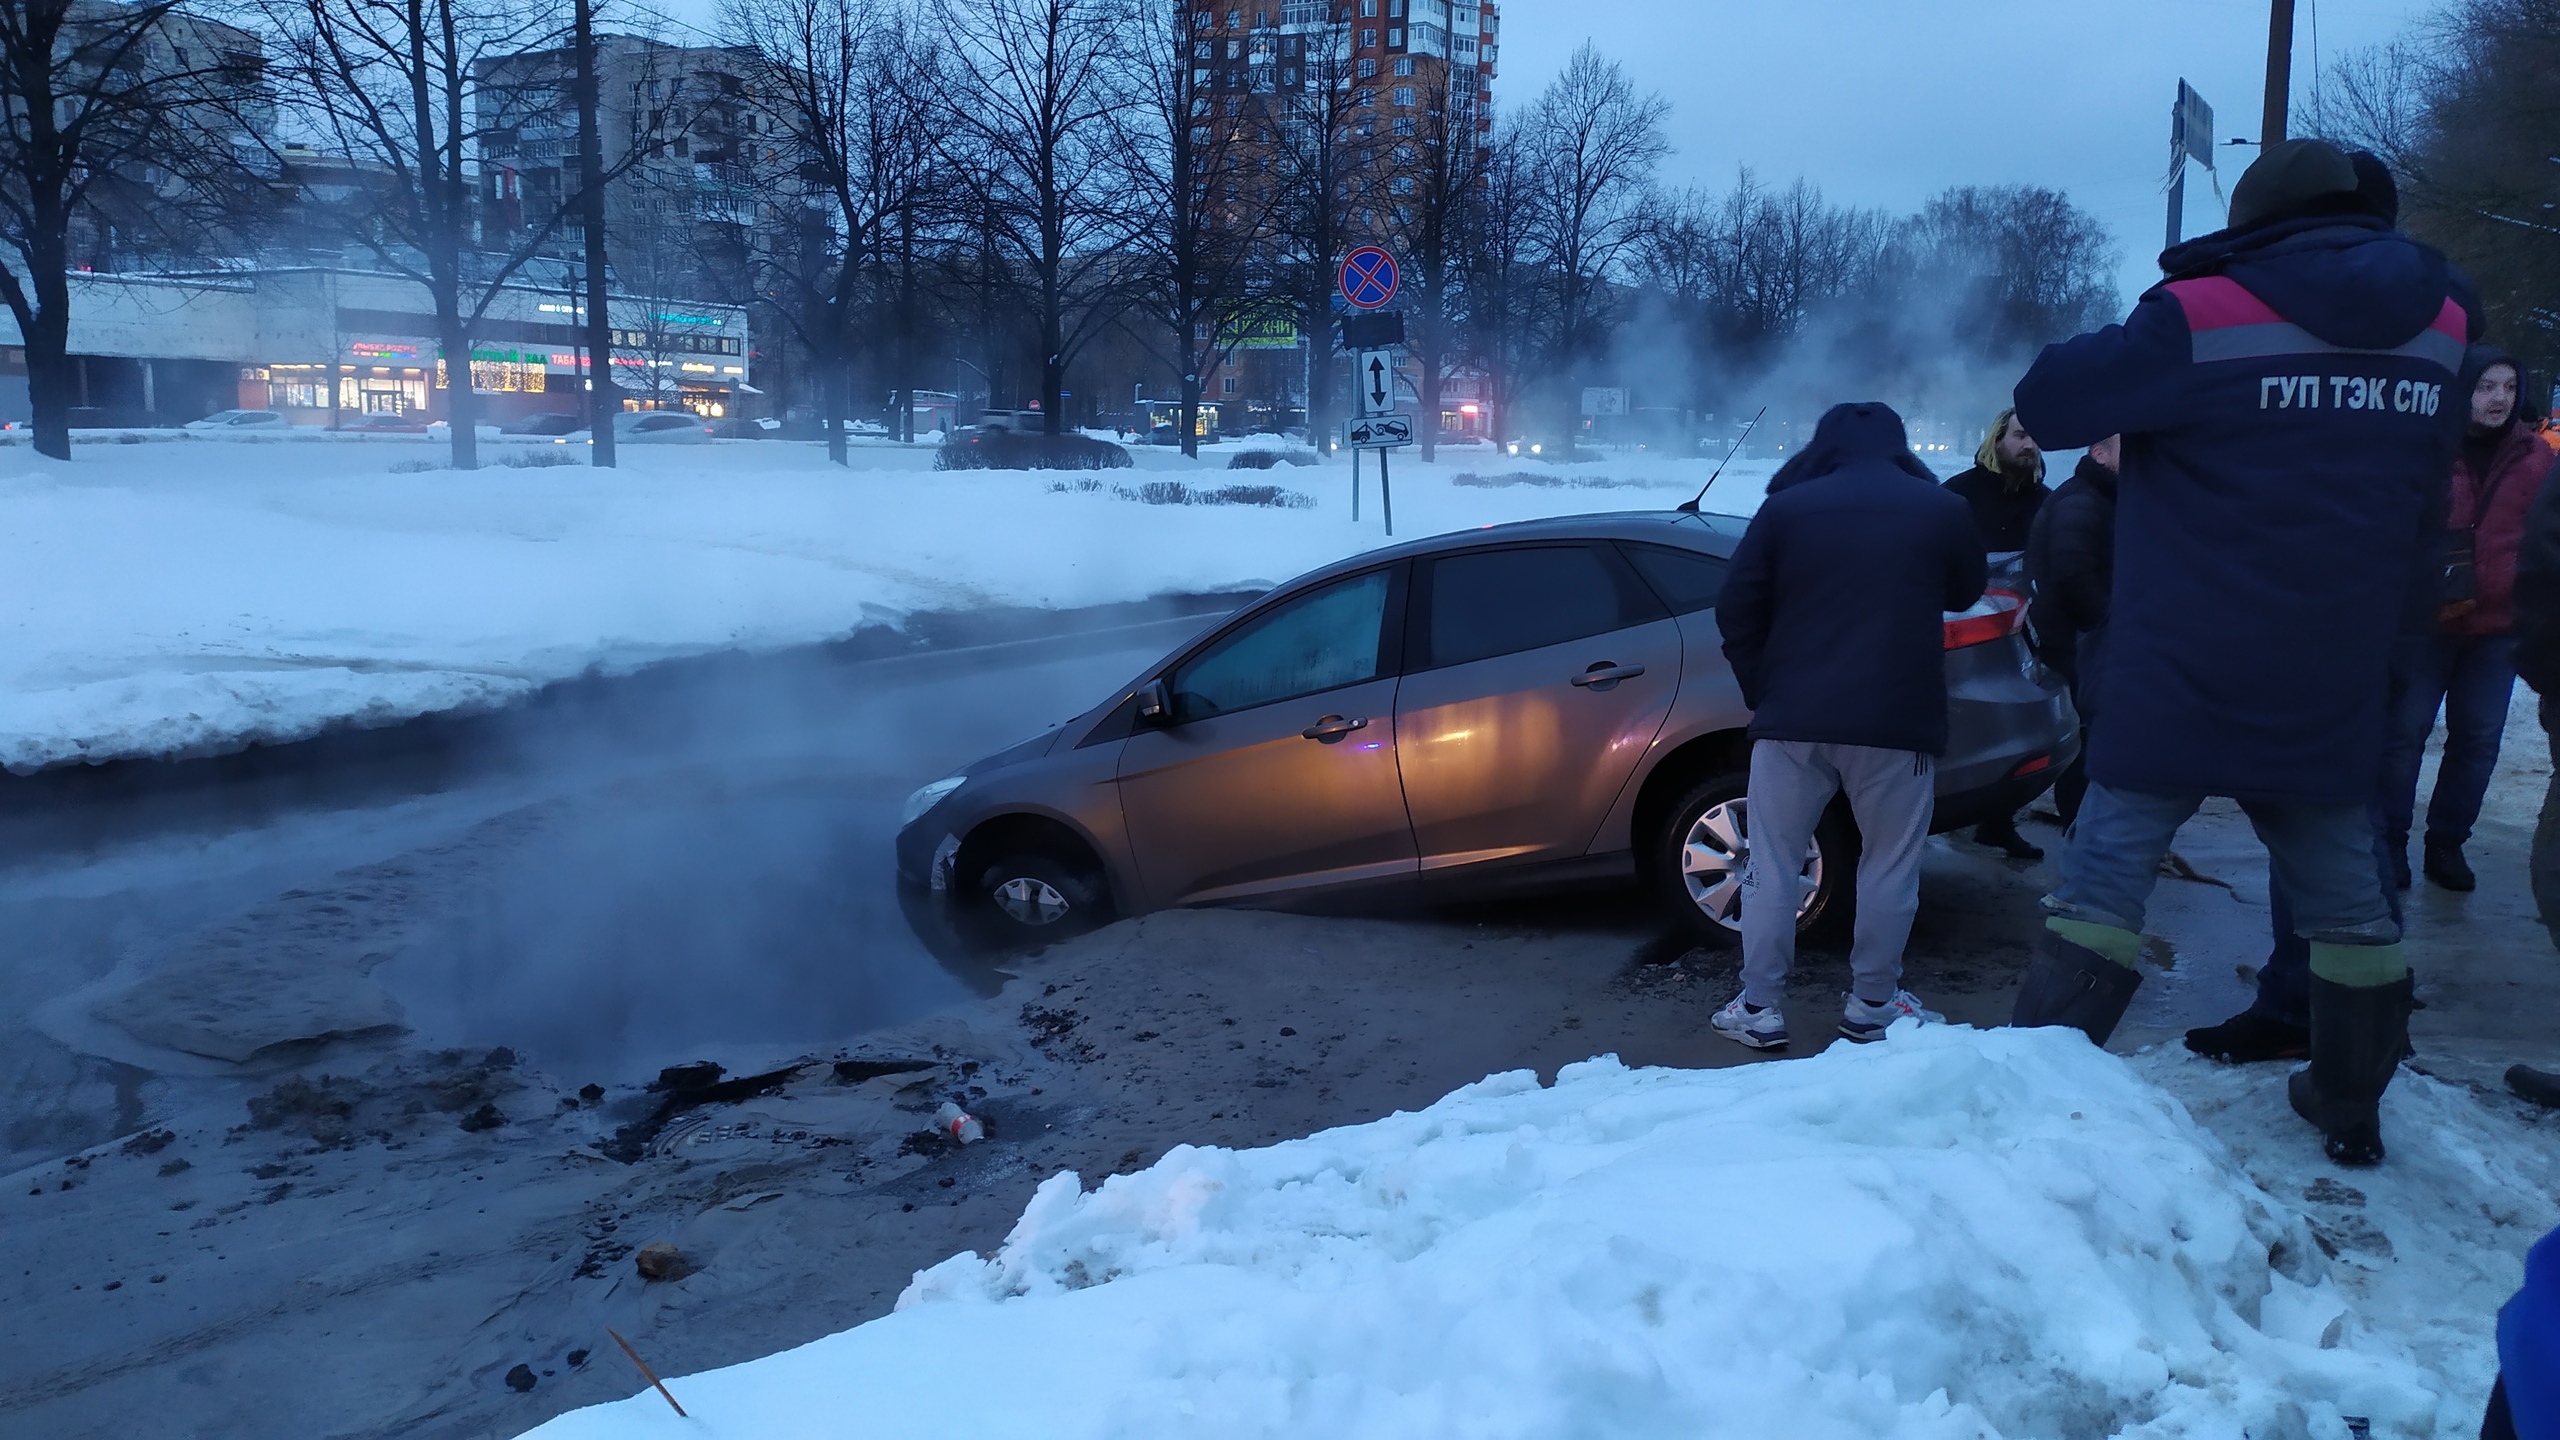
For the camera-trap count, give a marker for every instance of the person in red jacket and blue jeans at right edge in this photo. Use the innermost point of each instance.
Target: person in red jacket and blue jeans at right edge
(2469, 667)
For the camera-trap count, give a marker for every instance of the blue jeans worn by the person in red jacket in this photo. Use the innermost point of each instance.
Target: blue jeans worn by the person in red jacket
(2472, 680)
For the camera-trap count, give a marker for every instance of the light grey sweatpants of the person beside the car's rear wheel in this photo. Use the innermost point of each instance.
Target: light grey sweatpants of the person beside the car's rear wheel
(1793, 783)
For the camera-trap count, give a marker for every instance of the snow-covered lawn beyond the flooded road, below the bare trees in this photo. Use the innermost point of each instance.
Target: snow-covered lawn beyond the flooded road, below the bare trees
(204, 596)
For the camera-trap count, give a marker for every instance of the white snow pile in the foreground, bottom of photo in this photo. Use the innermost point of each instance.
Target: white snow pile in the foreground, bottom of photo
(1947, 1236)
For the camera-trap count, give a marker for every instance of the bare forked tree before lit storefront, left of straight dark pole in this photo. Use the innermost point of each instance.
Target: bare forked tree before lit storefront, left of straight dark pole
(398, 88)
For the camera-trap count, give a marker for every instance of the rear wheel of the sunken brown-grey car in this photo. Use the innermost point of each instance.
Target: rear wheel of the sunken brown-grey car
(1704, 847)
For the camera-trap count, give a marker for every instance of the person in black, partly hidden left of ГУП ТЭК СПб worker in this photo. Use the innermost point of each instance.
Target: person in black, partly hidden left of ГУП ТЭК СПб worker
(2072, 573)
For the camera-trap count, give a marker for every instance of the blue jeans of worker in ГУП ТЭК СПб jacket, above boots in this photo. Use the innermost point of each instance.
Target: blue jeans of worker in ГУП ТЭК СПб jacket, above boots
(2323, 855)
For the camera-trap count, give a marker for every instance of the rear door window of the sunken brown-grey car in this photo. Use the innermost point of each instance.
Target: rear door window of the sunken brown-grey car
(1496, 603)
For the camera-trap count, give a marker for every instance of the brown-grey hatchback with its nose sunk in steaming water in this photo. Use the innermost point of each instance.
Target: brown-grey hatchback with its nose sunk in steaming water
(1496, 708)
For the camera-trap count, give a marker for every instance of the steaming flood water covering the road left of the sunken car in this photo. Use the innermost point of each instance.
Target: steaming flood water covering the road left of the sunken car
(636, 872)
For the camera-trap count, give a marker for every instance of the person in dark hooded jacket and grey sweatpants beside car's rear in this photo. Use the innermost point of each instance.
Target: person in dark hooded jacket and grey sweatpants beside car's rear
(1832, 619)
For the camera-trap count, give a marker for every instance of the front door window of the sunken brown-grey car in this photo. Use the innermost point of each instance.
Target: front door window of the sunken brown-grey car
(1317, 642)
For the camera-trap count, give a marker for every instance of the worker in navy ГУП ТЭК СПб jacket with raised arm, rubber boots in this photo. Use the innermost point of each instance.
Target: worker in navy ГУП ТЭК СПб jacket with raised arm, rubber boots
(2285, 401)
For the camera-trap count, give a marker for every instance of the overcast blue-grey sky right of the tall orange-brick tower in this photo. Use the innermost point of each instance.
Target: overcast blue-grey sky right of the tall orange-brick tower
(1891, 101)
